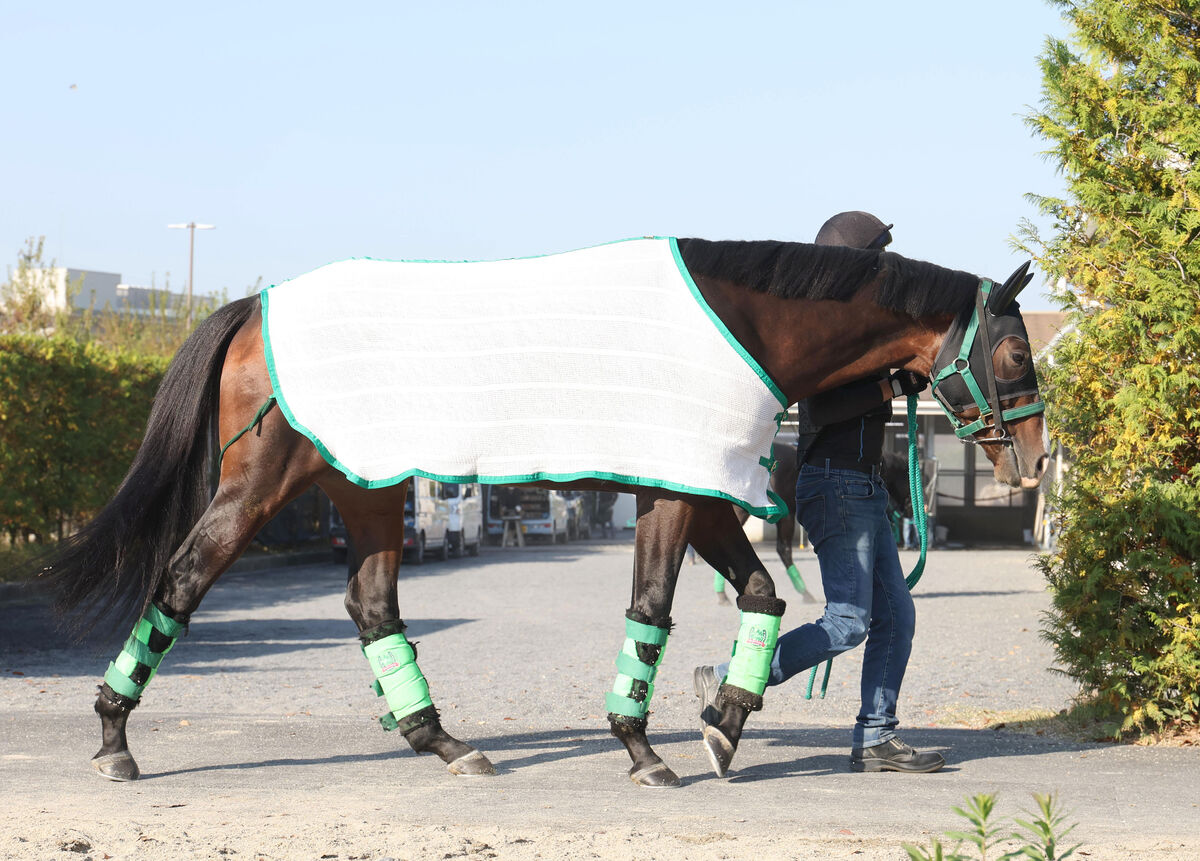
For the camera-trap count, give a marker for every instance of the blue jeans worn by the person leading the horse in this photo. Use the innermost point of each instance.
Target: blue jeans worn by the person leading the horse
(867, 599)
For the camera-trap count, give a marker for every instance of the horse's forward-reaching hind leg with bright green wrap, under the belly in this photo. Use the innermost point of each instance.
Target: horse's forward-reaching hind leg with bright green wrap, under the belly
(375, 522)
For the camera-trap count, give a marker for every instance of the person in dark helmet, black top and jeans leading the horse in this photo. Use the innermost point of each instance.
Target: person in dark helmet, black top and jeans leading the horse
(842, 502)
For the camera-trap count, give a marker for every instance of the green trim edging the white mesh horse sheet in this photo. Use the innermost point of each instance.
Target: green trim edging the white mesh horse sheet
(772, 514)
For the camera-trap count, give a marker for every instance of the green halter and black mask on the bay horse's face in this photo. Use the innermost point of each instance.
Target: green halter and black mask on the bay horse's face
(989, 404)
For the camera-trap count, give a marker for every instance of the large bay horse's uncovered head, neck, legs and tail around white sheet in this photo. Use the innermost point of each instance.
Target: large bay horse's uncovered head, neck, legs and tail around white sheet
(812, 318)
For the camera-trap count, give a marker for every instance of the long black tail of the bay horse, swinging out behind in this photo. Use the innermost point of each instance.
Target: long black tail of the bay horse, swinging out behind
(117, 562)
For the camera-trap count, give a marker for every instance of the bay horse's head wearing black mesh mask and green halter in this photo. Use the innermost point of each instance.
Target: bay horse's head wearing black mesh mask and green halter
(985, 380)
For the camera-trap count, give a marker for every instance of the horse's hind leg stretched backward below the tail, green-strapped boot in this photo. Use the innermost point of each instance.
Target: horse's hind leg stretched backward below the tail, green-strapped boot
(257, 481)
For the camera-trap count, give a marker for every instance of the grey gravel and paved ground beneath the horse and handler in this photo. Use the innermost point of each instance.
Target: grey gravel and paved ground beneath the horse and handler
(257, 740)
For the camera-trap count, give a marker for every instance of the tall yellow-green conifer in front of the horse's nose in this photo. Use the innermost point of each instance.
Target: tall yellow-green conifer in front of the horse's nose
(1121, 112)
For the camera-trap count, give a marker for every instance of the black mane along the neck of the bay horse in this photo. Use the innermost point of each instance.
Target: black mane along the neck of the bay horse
(796, 270)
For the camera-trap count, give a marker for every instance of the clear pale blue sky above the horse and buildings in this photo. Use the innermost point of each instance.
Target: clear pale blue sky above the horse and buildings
(315, 133)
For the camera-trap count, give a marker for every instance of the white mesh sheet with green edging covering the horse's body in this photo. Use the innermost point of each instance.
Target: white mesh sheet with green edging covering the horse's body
(604, 363)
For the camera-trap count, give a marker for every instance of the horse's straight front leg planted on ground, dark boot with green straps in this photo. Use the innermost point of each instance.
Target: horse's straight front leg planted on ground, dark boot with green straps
(661, 544)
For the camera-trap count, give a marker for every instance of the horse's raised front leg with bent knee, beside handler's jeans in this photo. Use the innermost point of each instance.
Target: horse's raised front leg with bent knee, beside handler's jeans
(718, 537)
